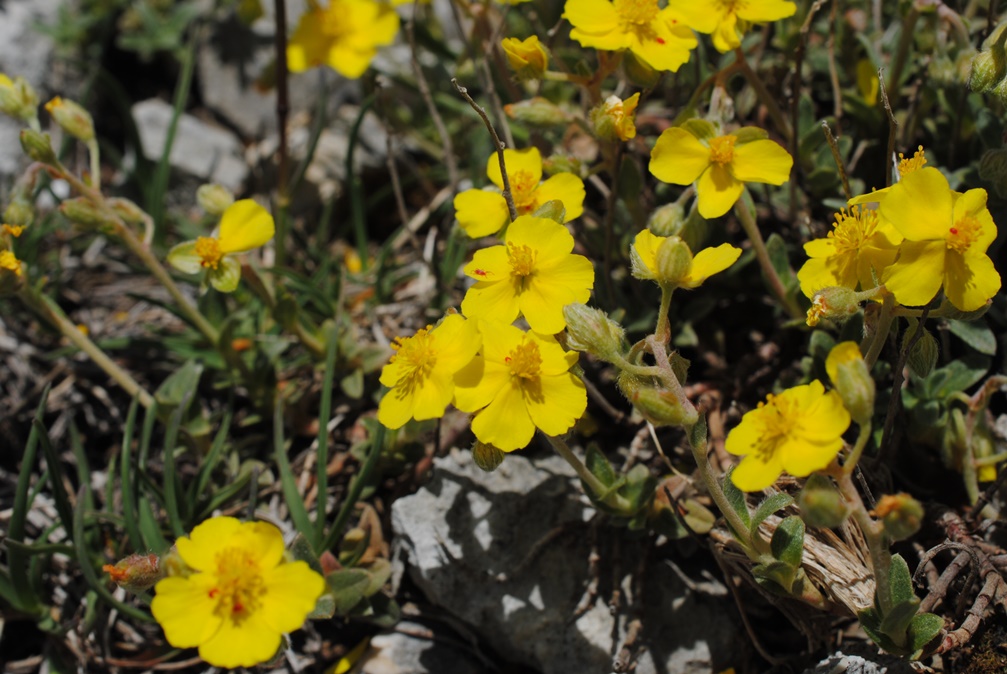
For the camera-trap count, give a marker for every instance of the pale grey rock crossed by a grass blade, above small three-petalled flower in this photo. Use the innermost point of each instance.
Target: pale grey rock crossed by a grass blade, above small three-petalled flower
(200, 150)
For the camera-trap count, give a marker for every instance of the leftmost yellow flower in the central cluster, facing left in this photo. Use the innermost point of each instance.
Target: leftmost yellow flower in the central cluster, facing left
(421, 374)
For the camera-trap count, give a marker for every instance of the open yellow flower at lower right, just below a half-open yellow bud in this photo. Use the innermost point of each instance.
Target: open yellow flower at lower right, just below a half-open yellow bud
(800, 431)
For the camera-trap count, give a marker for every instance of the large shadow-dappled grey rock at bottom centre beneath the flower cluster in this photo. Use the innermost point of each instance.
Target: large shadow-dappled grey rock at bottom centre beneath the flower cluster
(508, 554)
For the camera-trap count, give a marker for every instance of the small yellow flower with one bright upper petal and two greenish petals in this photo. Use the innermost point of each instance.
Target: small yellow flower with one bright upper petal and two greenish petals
(244, 226)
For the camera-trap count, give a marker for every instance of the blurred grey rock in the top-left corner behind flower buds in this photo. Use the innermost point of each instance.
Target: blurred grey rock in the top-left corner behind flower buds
(27, 53)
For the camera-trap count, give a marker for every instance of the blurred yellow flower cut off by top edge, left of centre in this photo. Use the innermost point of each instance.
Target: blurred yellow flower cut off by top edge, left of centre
(344, 36)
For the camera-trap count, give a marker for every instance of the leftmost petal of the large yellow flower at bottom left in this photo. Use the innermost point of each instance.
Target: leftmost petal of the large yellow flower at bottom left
(184, 609)
